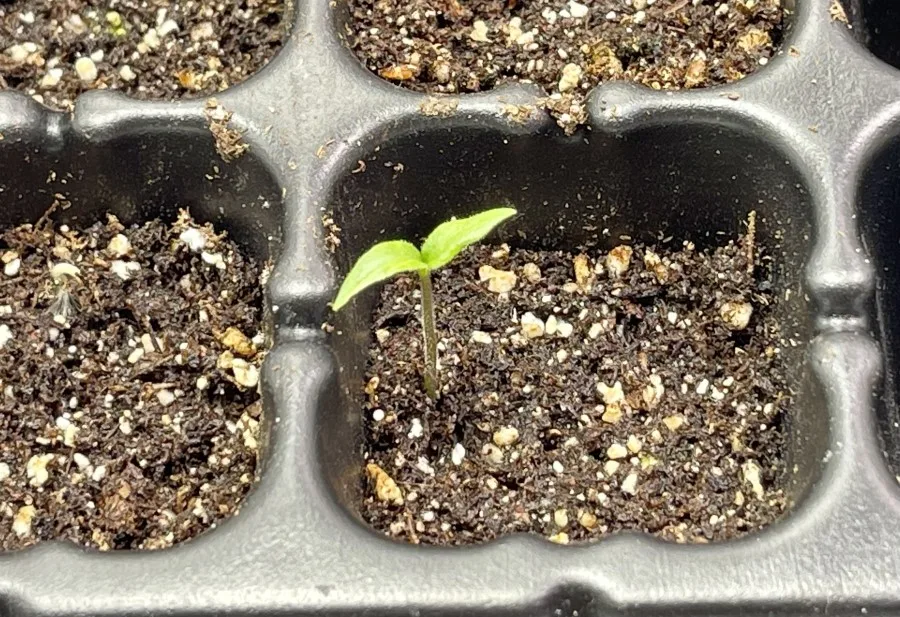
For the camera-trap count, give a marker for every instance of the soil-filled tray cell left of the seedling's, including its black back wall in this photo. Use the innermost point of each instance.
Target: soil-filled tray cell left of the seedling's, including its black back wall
(133, 324)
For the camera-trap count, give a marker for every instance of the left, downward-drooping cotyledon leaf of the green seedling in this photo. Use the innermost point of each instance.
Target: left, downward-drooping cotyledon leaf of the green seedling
(380, 262)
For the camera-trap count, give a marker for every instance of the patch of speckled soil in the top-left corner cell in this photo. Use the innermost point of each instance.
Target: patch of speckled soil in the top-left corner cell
(153, 49)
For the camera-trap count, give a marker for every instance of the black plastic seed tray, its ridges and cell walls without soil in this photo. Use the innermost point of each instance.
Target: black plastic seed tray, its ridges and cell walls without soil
(811, 142)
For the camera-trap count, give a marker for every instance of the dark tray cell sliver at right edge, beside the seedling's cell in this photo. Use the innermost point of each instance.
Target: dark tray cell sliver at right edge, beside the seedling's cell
(880, 193)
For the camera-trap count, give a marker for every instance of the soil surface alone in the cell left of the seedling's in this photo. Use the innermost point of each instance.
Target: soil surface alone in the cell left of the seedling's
(128, 387)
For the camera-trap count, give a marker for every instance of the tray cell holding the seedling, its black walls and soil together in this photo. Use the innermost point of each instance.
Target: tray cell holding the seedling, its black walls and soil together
(613, 360)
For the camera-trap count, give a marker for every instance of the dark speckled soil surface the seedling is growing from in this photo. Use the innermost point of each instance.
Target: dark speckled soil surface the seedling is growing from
(601, 393)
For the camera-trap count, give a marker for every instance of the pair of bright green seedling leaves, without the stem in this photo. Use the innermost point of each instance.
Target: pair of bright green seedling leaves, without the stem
(387, 259)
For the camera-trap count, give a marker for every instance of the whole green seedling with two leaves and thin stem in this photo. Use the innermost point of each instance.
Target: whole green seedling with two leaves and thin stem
(387, 259)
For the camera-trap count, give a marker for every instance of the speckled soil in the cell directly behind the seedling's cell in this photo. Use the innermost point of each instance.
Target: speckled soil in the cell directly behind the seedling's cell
(565, 46)
